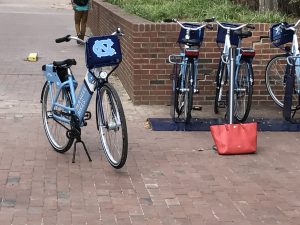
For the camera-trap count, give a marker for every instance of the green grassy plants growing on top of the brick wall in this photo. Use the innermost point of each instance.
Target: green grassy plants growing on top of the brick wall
(196, 10)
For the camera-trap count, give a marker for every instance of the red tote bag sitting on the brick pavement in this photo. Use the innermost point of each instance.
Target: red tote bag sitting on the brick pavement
(233, 139)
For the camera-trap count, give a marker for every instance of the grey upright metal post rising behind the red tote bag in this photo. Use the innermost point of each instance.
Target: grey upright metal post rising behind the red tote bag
(232, 53)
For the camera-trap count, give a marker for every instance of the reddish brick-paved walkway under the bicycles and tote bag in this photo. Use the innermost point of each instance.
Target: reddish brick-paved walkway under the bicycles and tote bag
(170, 177)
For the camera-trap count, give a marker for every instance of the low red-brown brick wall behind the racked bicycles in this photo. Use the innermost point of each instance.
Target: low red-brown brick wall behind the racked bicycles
(145, 71)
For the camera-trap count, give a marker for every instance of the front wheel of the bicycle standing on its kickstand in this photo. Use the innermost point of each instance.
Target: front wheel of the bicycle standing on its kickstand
(112, 126)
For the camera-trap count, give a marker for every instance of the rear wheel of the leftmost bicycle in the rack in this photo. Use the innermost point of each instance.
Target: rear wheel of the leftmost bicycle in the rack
(188, 96)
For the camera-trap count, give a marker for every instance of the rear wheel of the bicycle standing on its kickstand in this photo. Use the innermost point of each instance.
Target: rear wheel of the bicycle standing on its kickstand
(56, 131)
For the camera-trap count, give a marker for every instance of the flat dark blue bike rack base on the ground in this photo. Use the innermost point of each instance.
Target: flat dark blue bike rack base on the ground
(168, 124)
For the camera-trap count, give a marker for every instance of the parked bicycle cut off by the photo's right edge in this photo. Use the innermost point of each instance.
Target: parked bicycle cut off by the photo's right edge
(284, 69)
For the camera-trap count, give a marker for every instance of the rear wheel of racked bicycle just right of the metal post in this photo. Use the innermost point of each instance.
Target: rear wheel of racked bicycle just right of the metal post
(243, 91)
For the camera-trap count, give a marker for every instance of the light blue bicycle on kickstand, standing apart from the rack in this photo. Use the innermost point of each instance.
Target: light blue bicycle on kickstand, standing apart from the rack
(64, 112)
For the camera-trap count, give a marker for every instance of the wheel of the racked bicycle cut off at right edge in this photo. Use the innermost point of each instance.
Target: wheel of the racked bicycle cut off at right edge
(275, 80)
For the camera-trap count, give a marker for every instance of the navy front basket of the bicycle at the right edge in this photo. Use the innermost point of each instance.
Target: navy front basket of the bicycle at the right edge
(280, 36)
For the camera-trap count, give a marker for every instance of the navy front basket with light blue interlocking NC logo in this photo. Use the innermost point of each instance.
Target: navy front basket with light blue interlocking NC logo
(102, 51)
